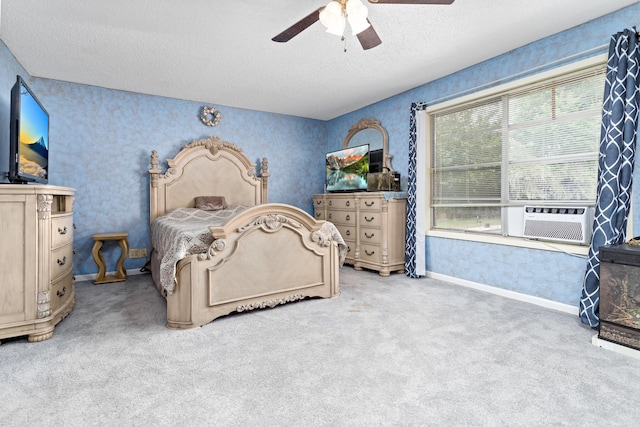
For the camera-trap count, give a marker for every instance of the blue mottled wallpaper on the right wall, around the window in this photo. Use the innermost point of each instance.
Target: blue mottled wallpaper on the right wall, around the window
(551, 275)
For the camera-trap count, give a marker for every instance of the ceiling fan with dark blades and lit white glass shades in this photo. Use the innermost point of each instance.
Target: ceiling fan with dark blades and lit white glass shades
(334, 16)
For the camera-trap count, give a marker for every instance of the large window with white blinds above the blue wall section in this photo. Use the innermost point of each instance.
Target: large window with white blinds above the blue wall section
(533, 144)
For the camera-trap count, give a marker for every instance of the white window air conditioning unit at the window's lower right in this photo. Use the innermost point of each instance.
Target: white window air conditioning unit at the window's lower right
(559, 224)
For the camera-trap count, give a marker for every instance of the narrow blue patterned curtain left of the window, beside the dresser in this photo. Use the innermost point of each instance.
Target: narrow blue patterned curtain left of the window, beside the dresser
(411, 268)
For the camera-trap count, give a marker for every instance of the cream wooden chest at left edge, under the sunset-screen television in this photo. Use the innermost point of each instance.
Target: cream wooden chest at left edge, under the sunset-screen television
(36, 259)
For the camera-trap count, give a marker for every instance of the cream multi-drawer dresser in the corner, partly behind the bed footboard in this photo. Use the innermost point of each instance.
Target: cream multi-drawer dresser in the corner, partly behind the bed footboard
(372, 225)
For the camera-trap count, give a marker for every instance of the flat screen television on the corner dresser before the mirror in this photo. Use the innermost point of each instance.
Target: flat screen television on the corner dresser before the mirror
(347, 169)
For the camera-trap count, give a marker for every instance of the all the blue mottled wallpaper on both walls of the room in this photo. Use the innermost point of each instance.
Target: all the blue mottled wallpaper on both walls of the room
(101, 140)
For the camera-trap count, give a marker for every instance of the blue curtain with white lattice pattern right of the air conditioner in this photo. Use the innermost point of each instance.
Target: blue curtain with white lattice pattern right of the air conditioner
(615, 165)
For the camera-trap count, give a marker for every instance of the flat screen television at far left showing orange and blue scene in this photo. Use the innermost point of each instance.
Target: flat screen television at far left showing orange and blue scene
(29, 137)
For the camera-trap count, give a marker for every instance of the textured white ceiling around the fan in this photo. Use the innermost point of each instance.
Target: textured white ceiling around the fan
(220, 51)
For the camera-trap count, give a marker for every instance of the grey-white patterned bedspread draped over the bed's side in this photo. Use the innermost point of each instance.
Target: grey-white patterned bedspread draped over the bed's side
(183, 232)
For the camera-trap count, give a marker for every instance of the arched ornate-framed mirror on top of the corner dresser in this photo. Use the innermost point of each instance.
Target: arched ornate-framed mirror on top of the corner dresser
(370, 131)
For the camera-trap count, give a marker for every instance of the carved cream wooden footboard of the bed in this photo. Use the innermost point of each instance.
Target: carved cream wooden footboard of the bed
(268, 255)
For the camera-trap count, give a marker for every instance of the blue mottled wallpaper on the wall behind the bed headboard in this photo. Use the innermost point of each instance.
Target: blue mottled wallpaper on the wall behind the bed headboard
(101, 140)
